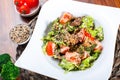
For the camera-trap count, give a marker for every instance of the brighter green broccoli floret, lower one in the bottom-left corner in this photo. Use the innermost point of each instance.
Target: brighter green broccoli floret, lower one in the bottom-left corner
(9, 71)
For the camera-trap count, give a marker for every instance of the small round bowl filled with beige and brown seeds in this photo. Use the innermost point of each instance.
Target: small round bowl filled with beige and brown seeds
(20, 34)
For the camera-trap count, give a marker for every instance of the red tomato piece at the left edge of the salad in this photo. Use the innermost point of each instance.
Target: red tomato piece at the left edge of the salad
(50, 48)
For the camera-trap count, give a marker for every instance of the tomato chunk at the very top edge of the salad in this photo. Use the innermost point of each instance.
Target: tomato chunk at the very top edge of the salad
(65, 17)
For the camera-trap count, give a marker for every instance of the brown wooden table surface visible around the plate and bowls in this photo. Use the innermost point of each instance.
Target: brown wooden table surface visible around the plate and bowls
(9, 17)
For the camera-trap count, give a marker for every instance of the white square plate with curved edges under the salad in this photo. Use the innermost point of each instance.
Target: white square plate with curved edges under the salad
(35, 60)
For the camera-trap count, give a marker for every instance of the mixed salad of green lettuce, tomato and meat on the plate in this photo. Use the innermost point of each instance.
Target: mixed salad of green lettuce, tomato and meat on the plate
(74, 41)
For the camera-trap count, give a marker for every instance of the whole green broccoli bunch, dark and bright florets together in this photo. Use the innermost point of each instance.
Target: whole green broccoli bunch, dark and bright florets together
(8, 71)
